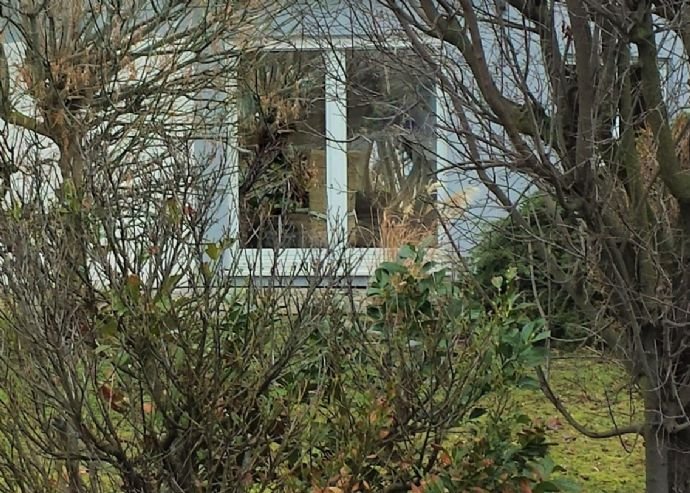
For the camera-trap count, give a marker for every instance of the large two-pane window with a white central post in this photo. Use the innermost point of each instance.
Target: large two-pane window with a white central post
(335, 147)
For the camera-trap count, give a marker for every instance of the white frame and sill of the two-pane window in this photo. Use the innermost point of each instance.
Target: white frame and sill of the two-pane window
(293, 262)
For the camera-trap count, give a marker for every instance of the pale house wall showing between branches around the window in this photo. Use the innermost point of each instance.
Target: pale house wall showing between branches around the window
(322, 20)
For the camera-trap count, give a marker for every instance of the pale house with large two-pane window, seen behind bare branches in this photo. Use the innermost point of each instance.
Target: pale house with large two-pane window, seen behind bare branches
(334, 142)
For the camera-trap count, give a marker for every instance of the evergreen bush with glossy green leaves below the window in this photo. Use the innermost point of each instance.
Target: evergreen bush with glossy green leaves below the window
(425, 365)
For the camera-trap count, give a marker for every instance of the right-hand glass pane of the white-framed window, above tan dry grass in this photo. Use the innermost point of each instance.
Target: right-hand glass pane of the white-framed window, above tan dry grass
(391, 151)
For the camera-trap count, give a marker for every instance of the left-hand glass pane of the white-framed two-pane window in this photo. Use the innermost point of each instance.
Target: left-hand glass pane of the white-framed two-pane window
(281, 116)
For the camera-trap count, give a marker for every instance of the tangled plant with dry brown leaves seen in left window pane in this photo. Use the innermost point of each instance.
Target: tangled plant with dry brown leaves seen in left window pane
(278, 173)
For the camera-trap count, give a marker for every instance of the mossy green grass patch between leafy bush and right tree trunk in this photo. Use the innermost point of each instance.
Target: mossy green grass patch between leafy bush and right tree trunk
(593, 390)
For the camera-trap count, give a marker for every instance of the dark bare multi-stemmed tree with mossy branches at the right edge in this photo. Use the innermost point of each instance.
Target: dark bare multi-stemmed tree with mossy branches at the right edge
(583, 100)
